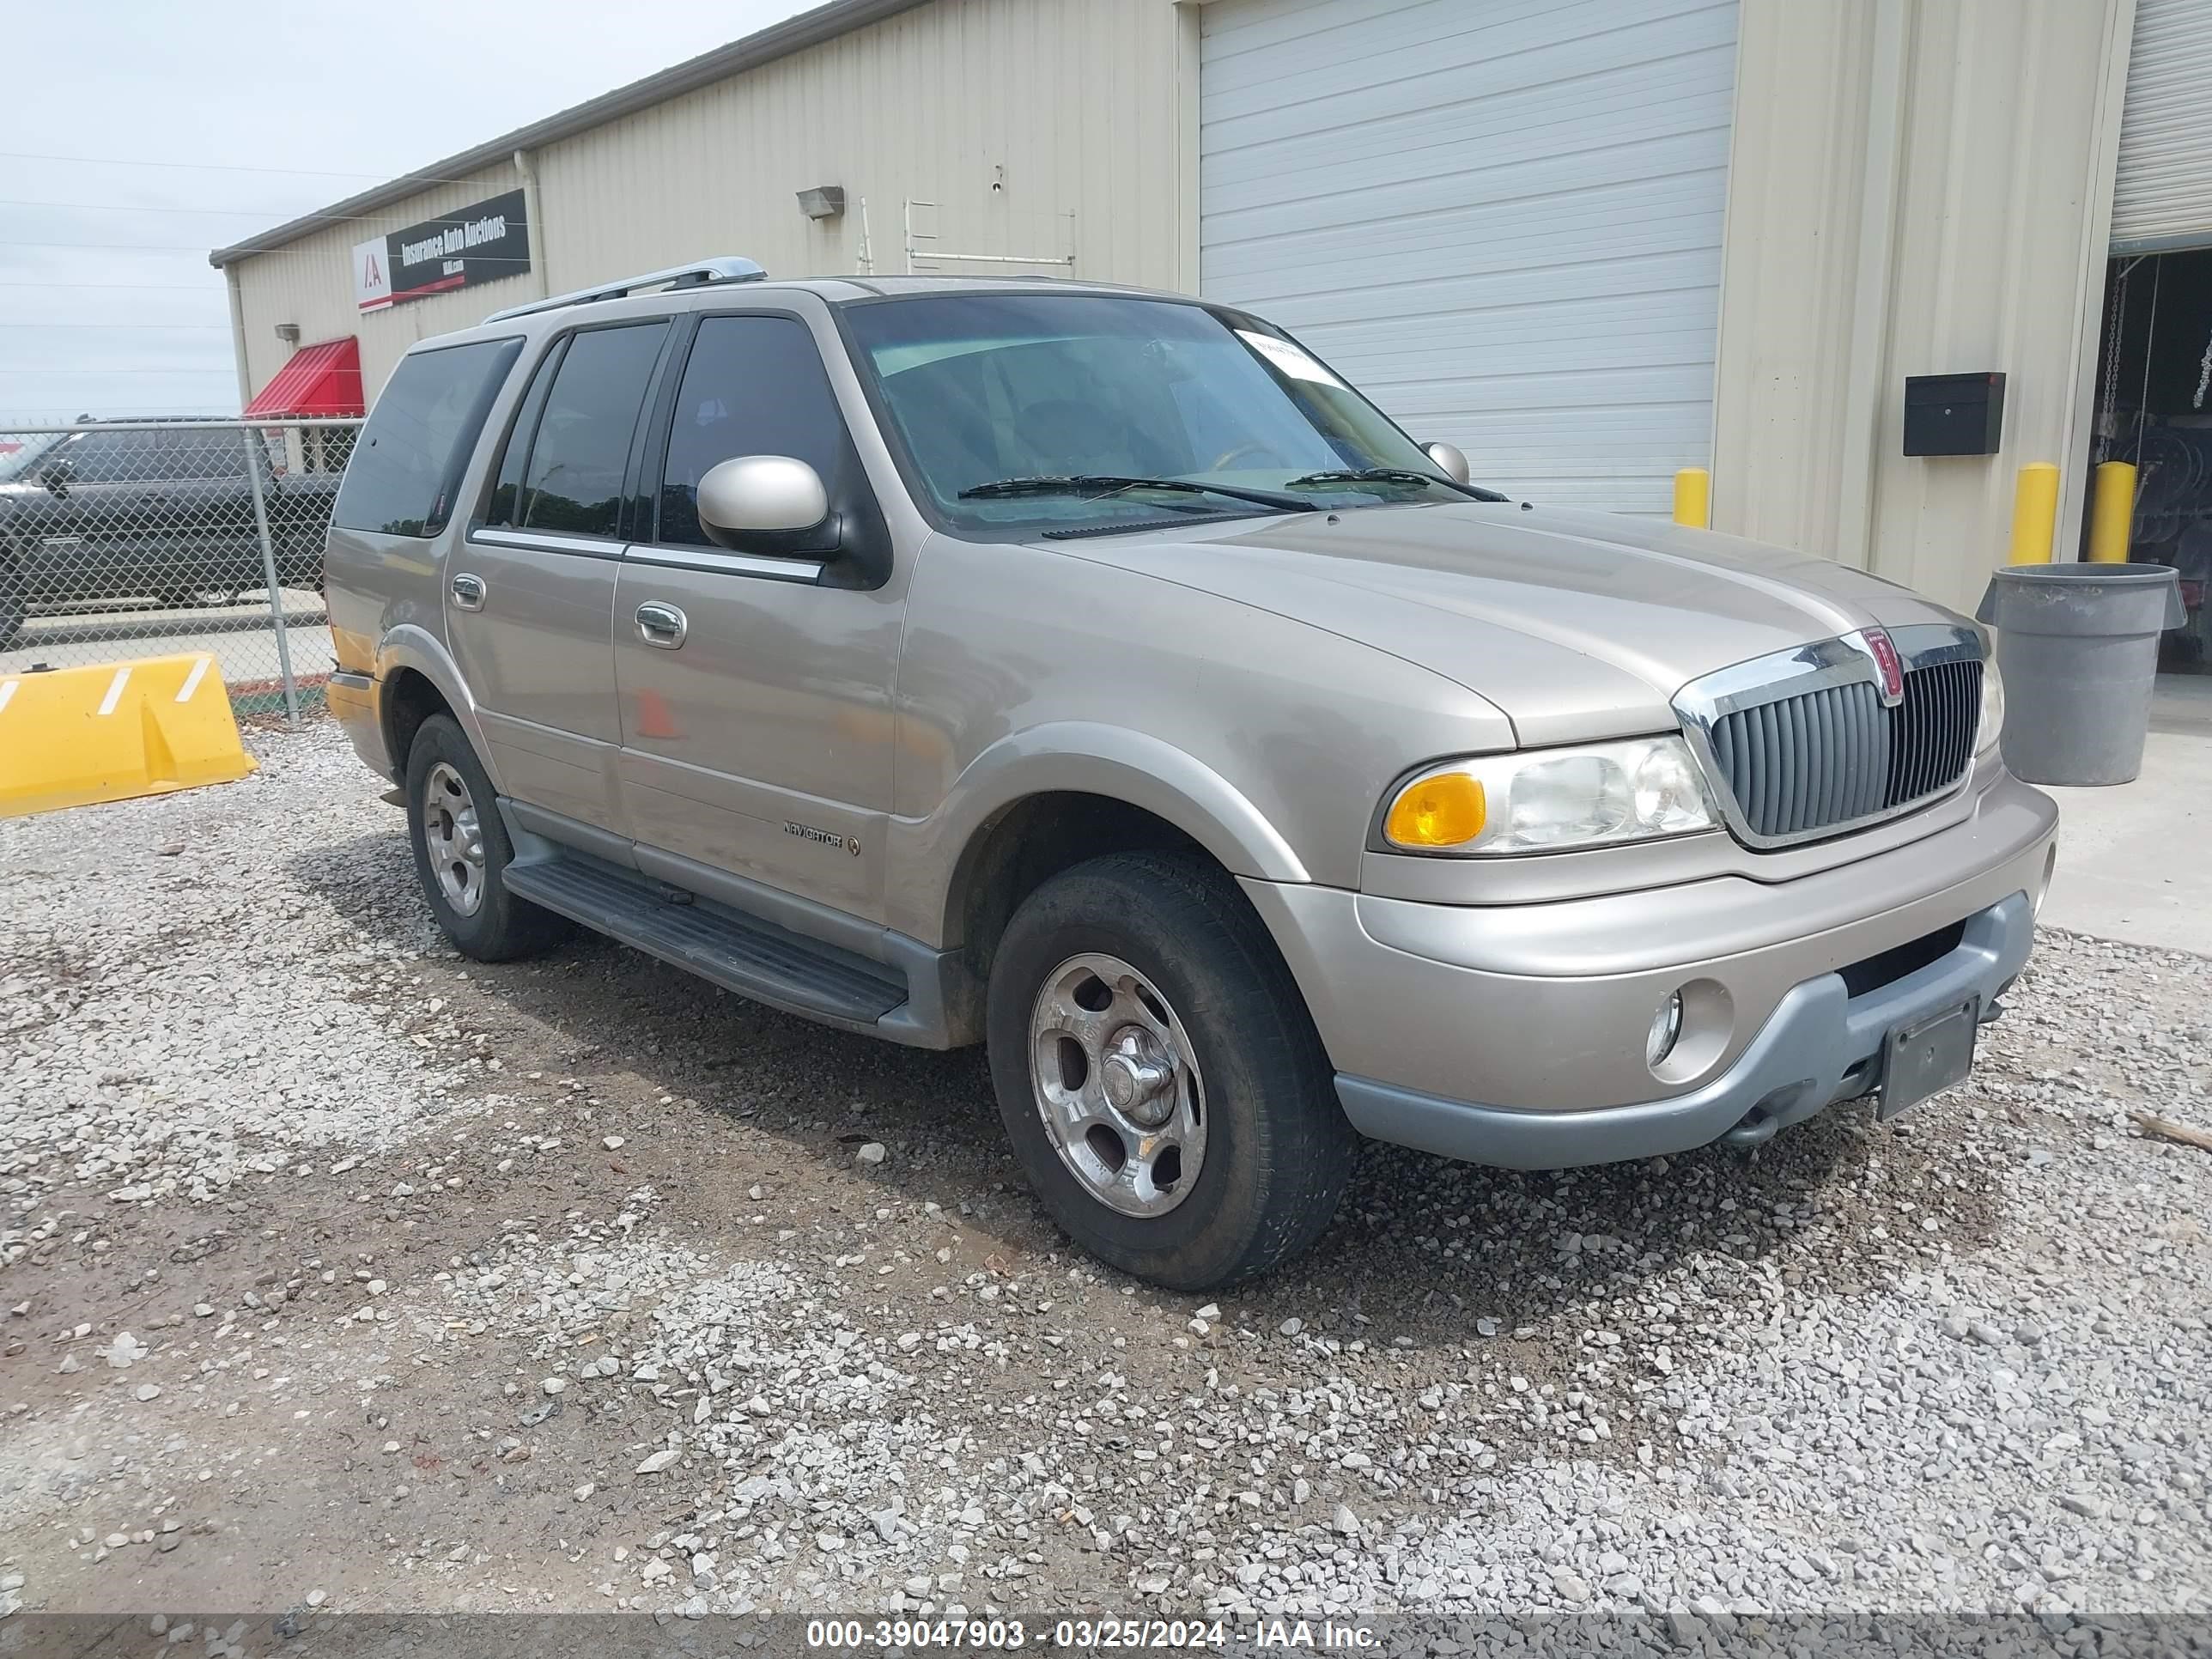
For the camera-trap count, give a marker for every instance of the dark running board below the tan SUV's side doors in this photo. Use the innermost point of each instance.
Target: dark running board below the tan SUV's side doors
(735, 952)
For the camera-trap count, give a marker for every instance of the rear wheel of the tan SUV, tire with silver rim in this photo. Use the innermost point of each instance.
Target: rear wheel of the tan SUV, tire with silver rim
(466, 895)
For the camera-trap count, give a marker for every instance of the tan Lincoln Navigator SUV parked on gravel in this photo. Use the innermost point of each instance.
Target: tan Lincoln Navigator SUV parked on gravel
(1096, 676)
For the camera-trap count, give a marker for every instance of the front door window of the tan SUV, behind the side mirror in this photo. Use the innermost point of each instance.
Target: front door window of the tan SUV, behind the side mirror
(755, 386)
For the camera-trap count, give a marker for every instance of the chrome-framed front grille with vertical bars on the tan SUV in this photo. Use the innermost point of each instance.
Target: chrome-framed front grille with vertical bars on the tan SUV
(1802, 747)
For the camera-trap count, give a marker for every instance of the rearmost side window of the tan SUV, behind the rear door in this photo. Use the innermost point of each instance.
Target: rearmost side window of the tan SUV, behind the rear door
(410, 457)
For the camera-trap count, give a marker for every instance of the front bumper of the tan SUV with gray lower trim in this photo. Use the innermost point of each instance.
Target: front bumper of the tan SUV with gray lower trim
(1514, 1034)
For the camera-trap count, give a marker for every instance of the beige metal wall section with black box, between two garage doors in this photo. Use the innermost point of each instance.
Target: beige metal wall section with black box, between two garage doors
(1921, 187)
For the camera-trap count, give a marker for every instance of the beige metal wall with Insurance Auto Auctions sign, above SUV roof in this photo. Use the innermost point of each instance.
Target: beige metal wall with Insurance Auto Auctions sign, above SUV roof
(1070, 107)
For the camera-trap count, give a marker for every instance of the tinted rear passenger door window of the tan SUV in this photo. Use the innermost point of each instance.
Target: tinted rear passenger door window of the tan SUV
(583, 446)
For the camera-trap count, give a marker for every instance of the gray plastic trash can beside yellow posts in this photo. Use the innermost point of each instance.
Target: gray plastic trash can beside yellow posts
(2080, 654)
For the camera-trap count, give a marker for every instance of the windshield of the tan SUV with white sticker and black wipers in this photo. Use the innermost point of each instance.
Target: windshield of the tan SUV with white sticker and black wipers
(1089, 410)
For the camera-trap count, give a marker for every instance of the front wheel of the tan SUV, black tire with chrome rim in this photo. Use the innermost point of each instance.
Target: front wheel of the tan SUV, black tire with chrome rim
(1249, 1085)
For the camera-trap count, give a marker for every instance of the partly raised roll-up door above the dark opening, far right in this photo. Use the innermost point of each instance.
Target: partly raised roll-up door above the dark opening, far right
(2164, 194)
